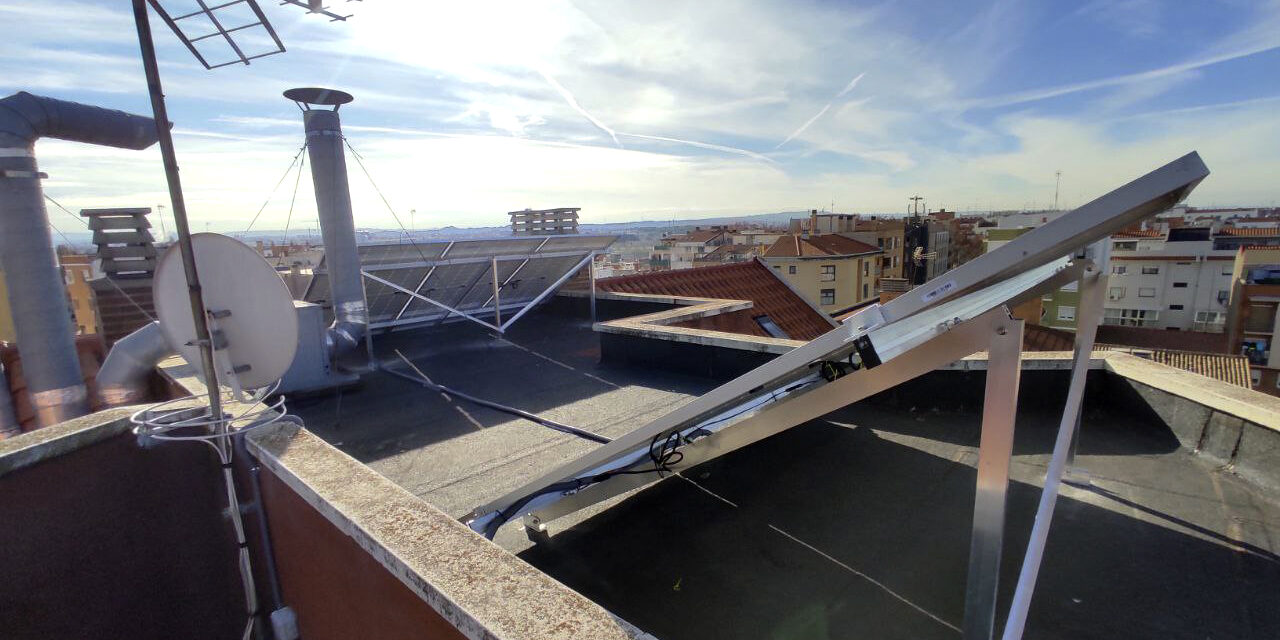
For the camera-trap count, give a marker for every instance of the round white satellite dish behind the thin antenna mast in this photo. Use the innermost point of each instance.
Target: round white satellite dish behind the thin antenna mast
(250, 312)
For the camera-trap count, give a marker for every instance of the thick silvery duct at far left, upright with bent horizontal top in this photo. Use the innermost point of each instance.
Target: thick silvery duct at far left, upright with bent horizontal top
(38, 295)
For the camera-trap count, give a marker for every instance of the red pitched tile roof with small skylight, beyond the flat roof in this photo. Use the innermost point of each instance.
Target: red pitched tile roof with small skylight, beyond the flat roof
(739, 281)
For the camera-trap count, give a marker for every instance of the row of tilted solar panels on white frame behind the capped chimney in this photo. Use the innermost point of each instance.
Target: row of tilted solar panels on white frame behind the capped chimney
(460, 276)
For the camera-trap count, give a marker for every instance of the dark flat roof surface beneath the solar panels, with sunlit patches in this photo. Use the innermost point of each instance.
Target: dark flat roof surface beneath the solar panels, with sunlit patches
(856, 525)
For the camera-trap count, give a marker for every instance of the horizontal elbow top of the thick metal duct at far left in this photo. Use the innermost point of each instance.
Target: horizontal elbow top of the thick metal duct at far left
(26, 117)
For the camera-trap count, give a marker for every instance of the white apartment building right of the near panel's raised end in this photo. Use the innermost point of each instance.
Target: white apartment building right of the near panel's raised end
(1169, 281)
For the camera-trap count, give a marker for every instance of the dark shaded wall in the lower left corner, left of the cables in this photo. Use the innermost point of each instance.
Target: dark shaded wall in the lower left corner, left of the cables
(113, 541)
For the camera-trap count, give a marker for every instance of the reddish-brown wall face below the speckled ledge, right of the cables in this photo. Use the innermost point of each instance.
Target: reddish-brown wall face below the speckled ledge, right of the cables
(337, 589)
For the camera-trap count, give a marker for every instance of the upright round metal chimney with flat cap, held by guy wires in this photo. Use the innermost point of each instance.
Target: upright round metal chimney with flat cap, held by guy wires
(333, 207)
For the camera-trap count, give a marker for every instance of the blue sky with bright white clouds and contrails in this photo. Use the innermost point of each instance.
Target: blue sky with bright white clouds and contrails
(657, 111)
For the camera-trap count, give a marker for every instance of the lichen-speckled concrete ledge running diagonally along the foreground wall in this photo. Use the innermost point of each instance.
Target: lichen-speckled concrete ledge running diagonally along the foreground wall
(479, 588)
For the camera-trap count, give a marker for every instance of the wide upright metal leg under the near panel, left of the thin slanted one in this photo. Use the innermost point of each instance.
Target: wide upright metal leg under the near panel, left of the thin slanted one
(996, 449)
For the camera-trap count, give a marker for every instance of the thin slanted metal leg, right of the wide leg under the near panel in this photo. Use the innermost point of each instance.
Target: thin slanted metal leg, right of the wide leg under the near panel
(1090, 310)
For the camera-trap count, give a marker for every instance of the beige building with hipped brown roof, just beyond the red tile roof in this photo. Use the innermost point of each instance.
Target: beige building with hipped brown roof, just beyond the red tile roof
(834, 272)
